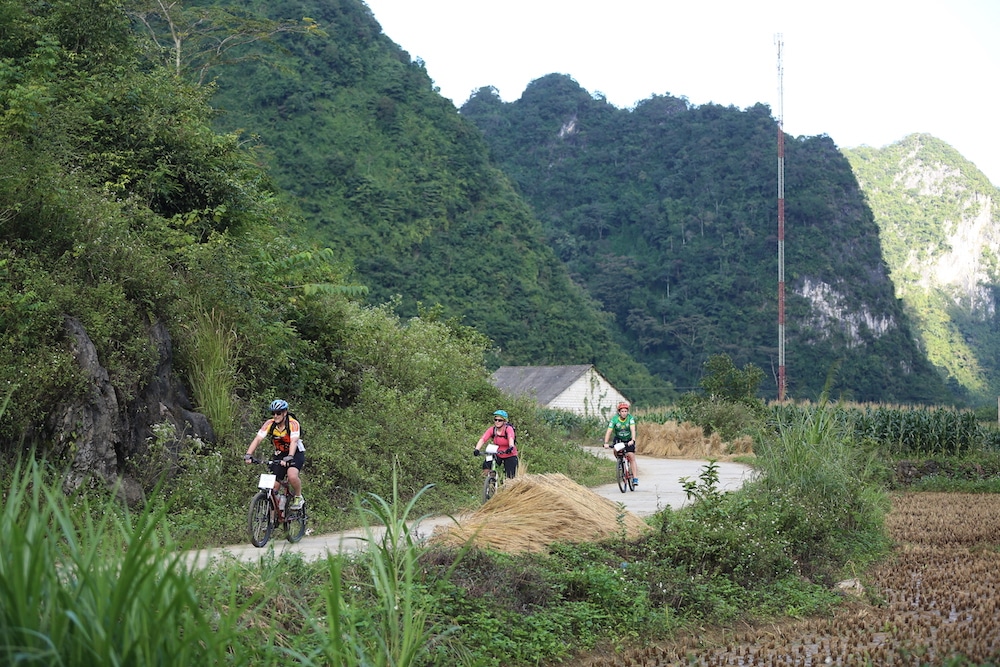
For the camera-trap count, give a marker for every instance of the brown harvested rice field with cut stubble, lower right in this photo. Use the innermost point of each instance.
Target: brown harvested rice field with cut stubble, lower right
(936, 599)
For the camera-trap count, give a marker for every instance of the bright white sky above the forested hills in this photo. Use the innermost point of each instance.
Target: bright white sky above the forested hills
(862, 71)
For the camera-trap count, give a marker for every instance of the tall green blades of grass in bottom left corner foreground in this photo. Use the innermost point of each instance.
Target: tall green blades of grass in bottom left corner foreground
(94, 585)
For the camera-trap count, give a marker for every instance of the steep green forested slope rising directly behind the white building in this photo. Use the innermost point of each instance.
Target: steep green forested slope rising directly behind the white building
(389, 175)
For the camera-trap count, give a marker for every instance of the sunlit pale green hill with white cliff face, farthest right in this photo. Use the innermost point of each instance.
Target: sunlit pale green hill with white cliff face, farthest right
(939, 220)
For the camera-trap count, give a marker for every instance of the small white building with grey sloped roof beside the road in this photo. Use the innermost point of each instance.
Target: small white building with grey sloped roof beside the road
(579, 389)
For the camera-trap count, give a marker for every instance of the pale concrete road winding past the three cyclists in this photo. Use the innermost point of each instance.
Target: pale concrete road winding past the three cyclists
(659, 487)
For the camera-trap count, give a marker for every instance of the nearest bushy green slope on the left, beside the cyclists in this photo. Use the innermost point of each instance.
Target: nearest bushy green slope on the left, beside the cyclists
(157, 292)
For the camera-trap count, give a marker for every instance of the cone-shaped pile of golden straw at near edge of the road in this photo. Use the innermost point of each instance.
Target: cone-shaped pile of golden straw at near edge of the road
(533, 511)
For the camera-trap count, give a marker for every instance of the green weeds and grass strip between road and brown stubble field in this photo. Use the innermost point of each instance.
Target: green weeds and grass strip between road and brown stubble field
(118, 588)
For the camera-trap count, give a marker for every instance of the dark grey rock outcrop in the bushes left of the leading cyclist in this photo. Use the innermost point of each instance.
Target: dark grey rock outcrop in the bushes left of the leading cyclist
(99, 433)
